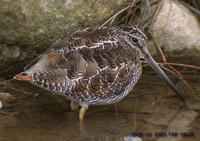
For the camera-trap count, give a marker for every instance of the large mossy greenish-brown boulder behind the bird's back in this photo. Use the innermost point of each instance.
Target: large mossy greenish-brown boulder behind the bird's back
(28, 27)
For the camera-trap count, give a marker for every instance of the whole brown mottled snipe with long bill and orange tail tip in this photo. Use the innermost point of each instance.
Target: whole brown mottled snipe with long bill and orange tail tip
(93, 66)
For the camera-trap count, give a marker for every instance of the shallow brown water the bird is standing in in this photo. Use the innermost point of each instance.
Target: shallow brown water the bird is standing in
(150, 111)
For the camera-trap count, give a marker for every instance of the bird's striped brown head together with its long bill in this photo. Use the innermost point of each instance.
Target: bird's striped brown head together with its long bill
(135, 38)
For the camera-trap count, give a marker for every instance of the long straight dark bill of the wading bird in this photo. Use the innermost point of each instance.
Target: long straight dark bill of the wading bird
(160, 72)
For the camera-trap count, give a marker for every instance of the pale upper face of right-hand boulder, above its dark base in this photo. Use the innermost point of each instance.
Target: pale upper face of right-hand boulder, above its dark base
(176, 27)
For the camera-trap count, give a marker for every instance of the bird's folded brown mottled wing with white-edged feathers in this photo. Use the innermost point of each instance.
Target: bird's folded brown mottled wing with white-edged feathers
(88, 59)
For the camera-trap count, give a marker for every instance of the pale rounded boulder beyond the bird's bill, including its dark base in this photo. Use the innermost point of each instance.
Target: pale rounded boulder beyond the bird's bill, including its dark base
(177, 30)
